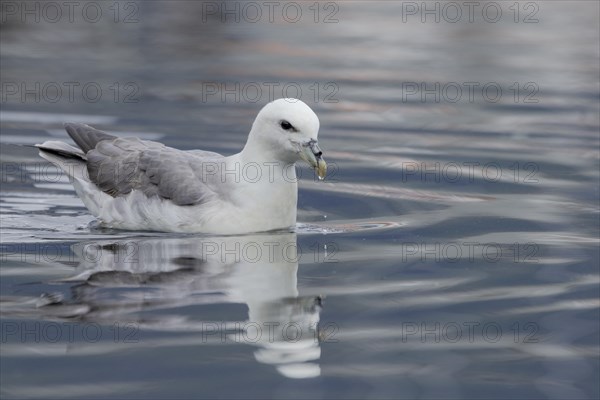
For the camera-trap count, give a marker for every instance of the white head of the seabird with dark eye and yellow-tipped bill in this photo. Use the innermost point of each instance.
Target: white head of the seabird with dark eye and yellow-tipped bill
(287, 130)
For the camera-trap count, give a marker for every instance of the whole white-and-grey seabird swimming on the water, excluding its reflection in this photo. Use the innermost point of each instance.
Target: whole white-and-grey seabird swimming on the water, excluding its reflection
(133, 184)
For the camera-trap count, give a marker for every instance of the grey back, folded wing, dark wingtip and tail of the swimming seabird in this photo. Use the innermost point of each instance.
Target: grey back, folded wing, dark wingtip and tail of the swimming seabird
(119, 165)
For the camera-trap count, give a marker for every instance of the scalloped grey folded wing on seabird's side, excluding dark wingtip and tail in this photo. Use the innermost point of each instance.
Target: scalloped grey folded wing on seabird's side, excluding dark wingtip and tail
(124, 164)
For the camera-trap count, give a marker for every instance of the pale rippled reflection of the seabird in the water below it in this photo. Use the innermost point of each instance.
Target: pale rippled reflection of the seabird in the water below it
(133, 280)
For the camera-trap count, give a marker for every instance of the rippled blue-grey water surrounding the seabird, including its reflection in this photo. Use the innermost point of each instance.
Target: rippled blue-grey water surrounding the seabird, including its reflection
(453, 252)
